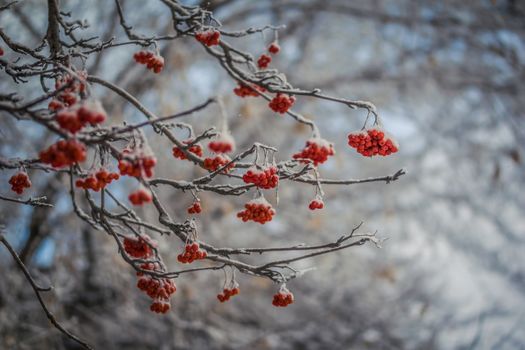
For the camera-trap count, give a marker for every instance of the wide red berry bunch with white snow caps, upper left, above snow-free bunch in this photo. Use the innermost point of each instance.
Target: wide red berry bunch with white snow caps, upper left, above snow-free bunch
(73, 120)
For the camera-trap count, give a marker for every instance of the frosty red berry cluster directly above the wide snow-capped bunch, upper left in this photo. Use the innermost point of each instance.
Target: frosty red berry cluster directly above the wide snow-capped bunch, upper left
(71, 88)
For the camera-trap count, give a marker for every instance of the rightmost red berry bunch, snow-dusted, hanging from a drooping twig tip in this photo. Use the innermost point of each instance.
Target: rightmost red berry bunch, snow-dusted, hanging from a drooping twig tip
(372, 142)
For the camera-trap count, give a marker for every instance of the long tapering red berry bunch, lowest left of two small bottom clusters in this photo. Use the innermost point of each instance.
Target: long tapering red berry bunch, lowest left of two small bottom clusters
(158, 289)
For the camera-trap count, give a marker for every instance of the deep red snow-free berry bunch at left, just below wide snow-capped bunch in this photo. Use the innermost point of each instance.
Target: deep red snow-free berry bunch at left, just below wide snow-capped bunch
(64, 153)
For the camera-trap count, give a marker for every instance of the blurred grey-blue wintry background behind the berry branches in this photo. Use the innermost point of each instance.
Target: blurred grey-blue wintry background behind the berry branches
(447, 78)
